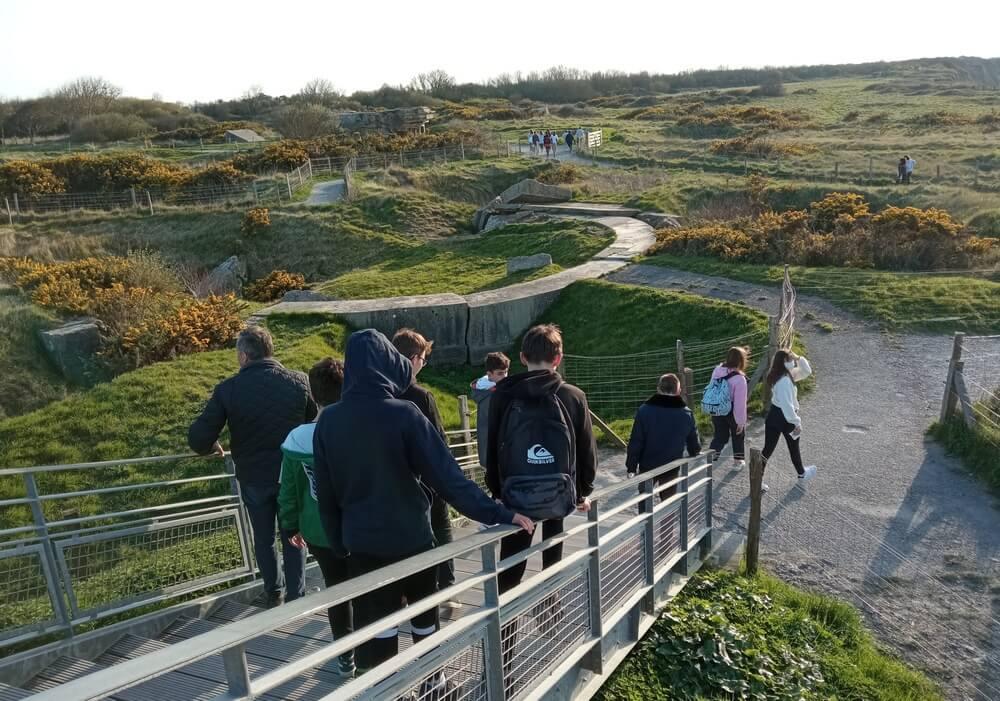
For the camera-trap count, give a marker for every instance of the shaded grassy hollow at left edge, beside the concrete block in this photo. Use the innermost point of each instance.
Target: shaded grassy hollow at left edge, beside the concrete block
(27, 378)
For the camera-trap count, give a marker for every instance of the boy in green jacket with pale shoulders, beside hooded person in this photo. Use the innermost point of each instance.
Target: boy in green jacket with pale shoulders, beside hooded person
(298, 510)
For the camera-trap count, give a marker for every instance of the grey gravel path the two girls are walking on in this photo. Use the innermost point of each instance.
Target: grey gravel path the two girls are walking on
(891, 522)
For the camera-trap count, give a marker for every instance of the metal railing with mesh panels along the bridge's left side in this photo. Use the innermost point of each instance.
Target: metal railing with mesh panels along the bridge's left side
(123, 539)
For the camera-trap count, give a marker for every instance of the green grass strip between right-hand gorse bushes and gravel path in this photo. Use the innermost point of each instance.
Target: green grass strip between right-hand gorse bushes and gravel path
(939, 303)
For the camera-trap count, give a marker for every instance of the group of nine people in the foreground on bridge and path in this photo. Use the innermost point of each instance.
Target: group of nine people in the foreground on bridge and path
(351, 462)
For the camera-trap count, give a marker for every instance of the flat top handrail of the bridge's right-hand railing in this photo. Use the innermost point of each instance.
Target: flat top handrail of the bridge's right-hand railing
(231, 636)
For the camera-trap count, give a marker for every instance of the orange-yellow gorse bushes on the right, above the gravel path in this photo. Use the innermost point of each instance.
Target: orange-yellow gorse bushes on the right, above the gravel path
(837, 230)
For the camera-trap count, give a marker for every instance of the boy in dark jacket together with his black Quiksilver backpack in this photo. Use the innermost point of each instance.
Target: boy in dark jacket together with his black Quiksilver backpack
(541, 457)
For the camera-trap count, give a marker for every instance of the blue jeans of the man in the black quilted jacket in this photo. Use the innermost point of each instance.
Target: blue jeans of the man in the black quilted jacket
(261, 502)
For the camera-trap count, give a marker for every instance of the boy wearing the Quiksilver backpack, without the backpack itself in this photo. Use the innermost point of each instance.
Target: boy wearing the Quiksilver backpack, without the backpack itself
(541, 353)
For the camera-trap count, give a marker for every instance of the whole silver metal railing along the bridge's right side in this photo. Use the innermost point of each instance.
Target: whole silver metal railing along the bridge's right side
(557, 633)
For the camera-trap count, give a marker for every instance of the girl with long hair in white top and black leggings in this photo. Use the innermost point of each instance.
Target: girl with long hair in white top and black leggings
(783, 418)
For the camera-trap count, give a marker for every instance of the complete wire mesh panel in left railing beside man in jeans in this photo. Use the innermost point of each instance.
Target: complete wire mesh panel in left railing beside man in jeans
(109, 569)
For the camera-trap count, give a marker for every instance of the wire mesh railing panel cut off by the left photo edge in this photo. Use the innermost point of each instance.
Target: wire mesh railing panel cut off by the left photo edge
(23, 590)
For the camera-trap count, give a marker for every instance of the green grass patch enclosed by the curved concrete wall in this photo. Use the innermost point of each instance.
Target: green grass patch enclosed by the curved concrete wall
(474, 265)
